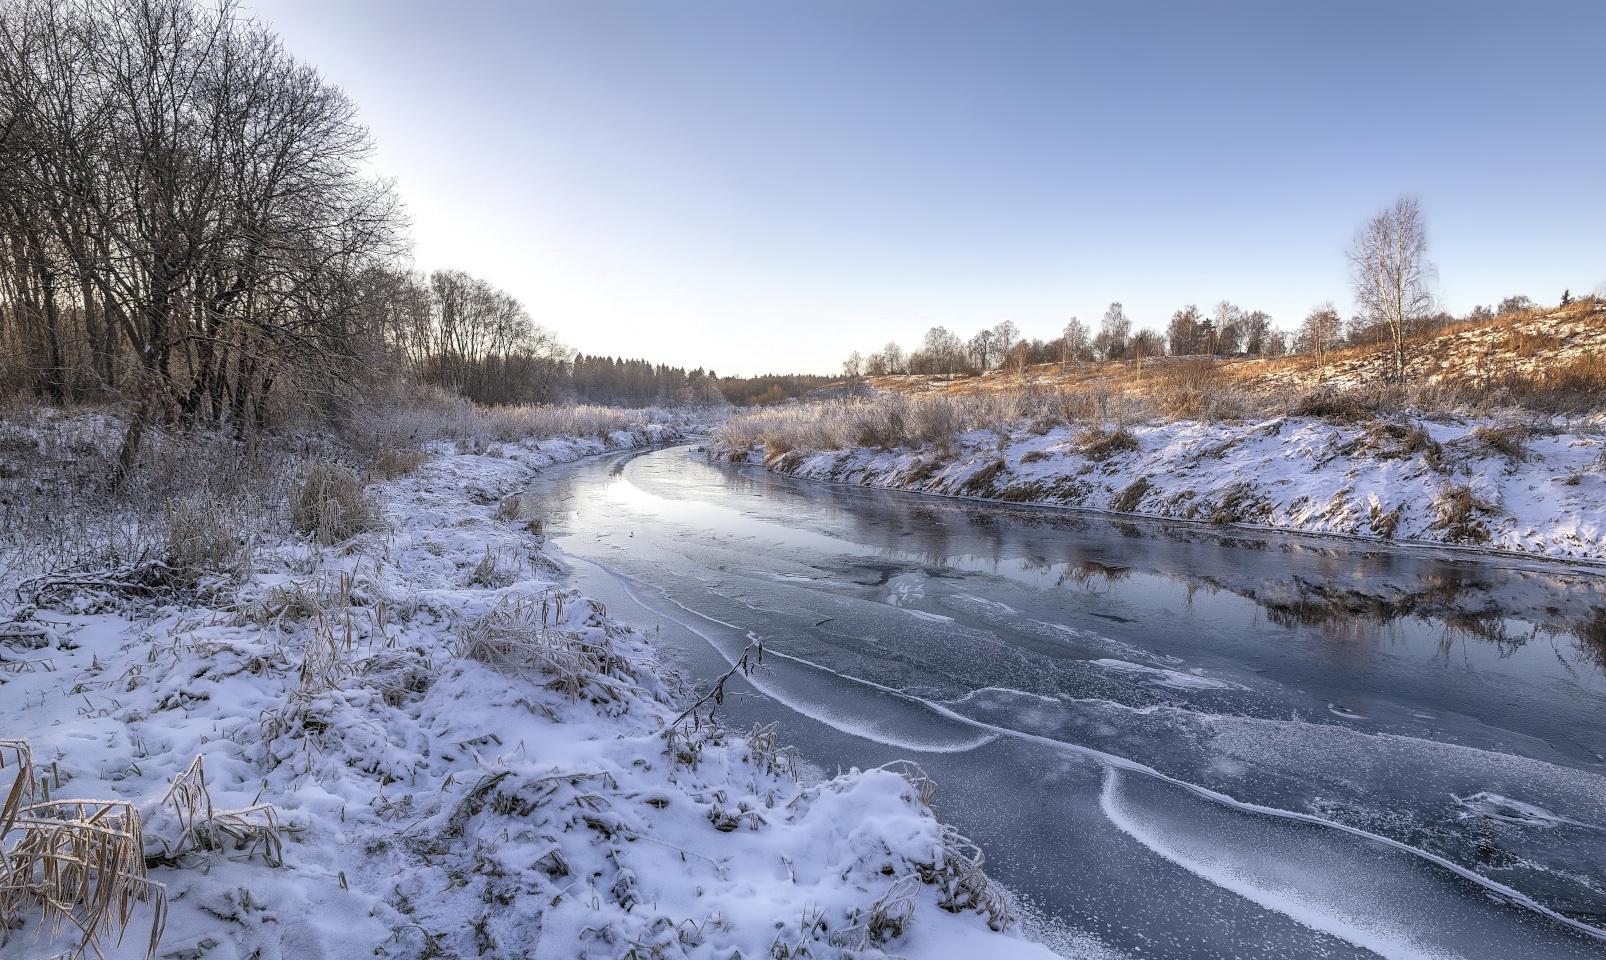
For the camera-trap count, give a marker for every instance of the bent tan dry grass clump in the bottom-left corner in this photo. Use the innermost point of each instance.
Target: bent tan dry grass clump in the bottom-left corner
(76, 864)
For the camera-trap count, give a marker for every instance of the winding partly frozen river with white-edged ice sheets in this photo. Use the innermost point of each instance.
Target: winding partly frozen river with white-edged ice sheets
(1170, 741)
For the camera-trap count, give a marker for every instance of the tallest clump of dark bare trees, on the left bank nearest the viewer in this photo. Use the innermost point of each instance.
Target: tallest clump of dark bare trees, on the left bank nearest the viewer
(194, 200)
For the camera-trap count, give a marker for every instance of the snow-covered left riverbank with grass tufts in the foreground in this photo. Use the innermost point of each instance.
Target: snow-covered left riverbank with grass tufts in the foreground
(420, 744)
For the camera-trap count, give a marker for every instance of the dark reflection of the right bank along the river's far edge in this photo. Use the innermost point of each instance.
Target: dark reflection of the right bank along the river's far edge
(1343, 590)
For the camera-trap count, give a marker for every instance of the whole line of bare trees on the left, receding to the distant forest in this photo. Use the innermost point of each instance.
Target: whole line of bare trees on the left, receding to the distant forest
(187, 229)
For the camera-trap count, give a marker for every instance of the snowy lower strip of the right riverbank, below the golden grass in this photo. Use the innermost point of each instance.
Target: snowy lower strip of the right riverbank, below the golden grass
(1494, 486)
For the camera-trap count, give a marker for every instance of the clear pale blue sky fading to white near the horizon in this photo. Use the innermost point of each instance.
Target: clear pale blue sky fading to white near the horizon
(767, 185)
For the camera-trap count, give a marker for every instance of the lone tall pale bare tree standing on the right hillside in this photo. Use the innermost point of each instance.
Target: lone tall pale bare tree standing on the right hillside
(1392, 274)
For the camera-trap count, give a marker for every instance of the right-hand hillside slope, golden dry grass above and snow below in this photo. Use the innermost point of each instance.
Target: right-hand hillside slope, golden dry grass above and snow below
(1496, 442)
